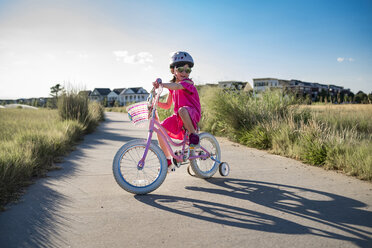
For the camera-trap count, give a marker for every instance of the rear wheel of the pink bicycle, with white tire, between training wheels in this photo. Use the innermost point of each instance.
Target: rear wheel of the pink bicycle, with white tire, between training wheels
(206, 168)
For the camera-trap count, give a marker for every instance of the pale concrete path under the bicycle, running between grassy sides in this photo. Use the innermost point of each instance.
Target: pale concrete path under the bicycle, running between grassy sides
(267, 201)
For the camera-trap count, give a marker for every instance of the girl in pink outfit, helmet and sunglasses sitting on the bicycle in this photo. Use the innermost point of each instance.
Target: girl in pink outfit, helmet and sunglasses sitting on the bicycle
(183, 94)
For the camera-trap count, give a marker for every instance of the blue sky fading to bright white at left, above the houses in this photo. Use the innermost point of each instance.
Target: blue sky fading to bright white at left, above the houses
(116, 44)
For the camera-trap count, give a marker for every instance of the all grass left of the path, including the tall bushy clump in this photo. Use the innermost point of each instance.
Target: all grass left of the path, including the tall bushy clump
(31, 140)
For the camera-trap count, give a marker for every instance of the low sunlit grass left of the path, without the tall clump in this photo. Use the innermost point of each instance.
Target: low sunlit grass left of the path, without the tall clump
(30, 141)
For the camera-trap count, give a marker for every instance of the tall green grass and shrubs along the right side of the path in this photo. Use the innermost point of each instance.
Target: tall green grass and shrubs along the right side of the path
(335, 138)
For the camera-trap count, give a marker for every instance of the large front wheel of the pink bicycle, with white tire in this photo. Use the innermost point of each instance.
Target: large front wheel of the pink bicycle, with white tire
(138, 180)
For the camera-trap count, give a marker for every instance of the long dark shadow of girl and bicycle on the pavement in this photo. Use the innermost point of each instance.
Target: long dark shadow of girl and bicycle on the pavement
(334, 212)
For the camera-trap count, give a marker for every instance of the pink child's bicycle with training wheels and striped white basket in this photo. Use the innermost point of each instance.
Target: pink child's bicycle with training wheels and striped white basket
(140, 166)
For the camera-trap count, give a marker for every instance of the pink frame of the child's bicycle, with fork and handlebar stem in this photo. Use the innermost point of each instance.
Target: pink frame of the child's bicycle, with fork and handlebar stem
(155, 126)
